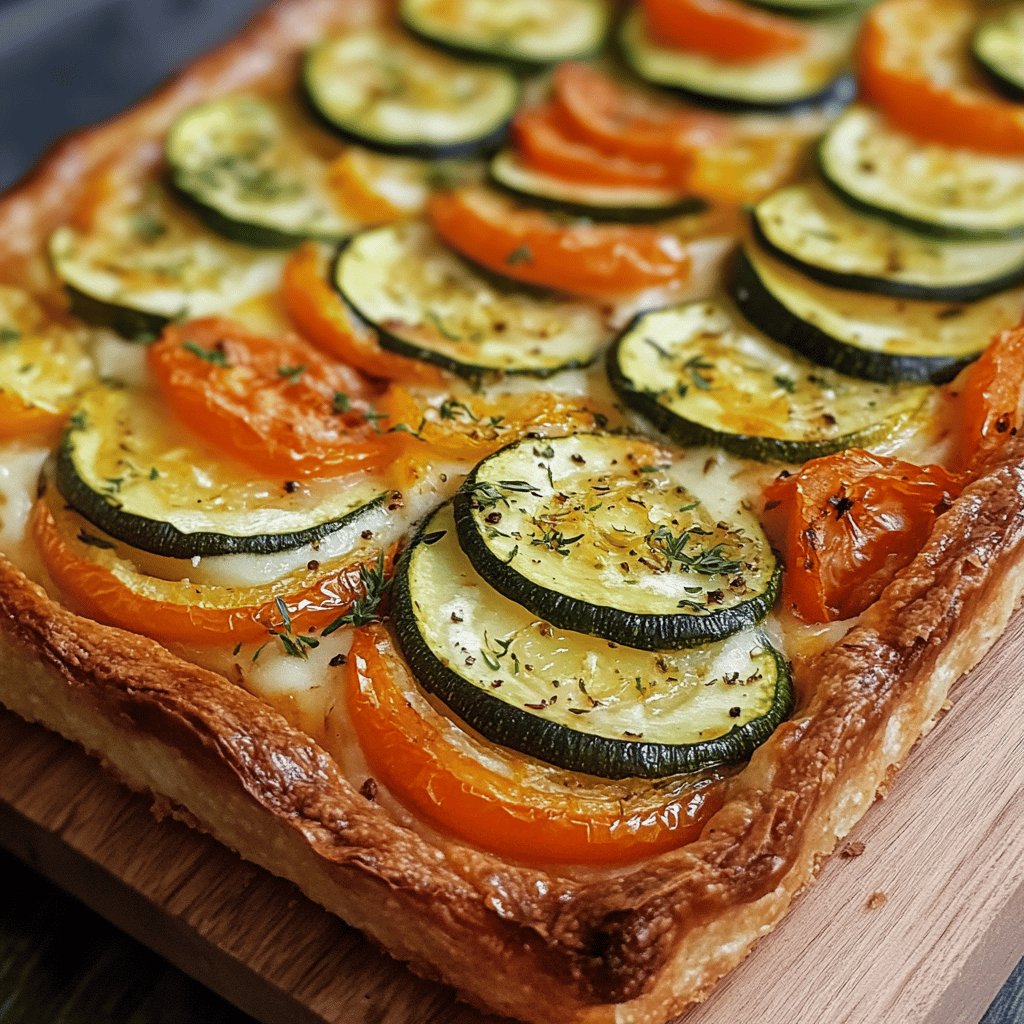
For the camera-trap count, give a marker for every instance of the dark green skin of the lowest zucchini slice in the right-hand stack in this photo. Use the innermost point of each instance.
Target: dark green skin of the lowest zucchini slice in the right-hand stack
(771, 316)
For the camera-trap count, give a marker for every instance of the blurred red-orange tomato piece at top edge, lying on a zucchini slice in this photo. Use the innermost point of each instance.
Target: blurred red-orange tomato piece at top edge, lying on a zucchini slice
(727, 30)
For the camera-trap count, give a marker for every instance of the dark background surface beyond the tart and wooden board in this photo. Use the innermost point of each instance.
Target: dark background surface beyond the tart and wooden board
(66, 64)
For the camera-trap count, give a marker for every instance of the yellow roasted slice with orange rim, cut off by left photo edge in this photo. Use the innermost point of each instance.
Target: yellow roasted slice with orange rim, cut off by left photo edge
(44, 367)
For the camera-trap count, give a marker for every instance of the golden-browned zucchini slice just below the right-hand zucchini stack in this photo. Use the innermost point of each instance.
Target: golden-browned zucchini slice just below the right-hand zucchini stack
(704, 377)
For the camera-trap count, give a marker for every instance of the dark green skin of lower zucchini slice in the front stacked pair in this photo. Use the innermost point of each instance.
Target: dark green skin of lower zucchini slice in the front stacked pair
(572, 749)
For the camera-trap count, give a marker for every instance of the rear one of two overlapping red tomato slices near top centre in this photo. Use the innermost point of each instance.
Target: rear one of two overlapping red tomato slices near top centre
(620, 119)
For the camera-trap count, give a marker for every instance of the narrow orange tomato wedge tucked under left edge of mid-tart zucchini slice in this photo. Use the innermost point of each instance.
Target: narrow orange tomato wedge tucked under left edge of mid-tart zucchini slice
(324, 318)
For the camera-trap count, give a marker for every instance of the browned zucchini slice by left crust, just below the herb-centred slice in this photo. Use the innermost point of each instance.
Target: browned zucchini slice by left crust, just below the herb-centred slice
(154, 264)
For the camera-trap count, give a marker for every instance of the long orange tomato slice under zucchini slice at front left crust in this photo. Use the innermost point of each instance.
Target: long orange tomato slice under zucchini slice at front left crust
(112, 590)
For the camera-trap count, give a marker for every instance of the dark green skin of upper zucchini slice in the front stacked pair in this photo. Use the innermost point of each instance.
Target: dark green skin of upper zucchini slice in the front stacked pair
(632, 629)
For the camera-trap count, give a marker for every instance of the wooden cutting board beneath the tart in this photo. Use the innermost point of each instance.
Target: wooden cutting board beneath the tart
(922, 928)
